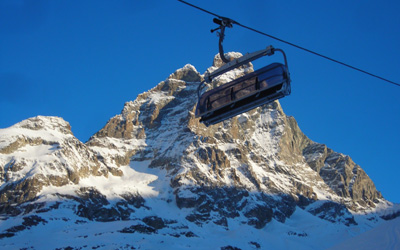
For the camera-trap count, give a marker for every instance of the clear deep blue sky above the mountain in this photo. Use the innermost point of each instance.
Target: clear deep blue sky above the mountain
(82, 60)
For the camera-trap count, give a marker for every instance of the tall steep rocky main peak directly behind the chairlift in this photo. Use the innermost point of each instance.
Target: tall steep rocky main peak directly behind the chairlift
(262, 151)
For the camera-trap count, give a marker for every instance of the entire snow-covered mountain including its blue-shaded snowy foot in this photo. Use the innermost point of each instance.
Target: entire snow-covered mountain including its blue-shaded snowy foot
(155, 178)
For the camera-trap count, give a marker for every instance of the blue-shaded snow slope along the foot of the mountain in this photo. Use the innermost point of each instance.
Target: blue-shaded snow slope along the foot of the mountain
(64, 229)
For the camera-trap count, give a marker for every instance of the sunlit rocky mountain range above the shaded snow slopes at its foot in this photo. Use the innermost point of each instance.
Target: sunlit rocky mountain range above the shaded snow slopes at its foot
(255, 168)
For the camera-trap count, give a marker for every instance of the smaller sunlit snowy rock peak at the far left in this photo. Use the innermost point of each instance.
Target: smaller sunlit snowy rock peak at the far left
(39, 152)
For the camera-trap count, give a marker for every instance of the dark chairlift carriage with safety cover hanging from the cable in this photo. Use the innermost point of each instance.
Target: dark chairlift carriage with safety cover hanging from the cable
(260, 87)
